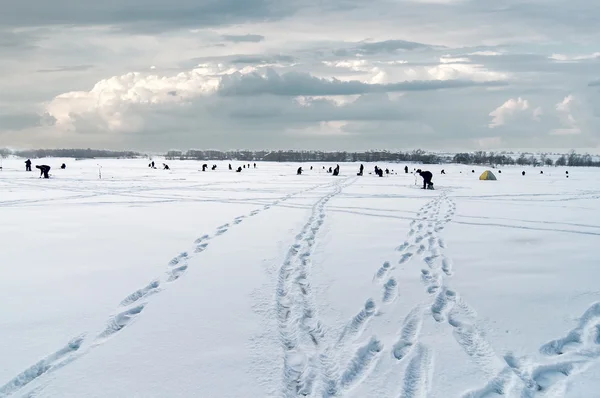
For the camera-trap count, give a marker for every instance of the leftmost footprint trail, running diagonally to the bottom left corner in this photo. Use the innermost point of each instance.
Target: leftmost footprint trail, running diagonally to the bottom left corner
(132, 305)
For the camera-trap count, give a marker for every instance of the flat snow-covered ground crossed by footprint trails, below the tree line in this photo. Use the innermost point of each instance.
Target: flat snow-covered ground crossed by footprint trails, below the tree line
(157, 283)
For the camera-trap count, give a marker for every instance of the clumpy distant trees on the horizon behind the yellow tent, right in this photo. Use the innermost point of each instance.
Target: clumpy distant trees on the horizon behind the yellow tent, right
(572, 159)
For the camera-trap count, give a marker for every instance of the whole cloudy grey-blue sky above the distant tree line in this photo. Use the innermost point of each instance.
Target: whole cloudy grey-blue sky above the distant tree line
(157, 75)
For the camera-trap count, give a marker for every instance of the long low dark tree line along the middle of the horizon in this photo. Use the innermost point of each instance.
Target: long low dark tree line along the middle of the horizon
(416, 156)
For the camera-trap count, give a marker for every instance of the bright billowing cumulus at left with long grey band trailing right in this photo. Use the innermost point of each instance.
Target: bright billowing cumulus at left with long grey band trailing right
(112, 102)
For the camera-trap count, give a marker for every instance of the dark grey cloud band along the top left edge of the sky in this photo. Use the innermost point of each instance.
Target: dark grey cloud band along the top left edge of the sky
(148, 16)
